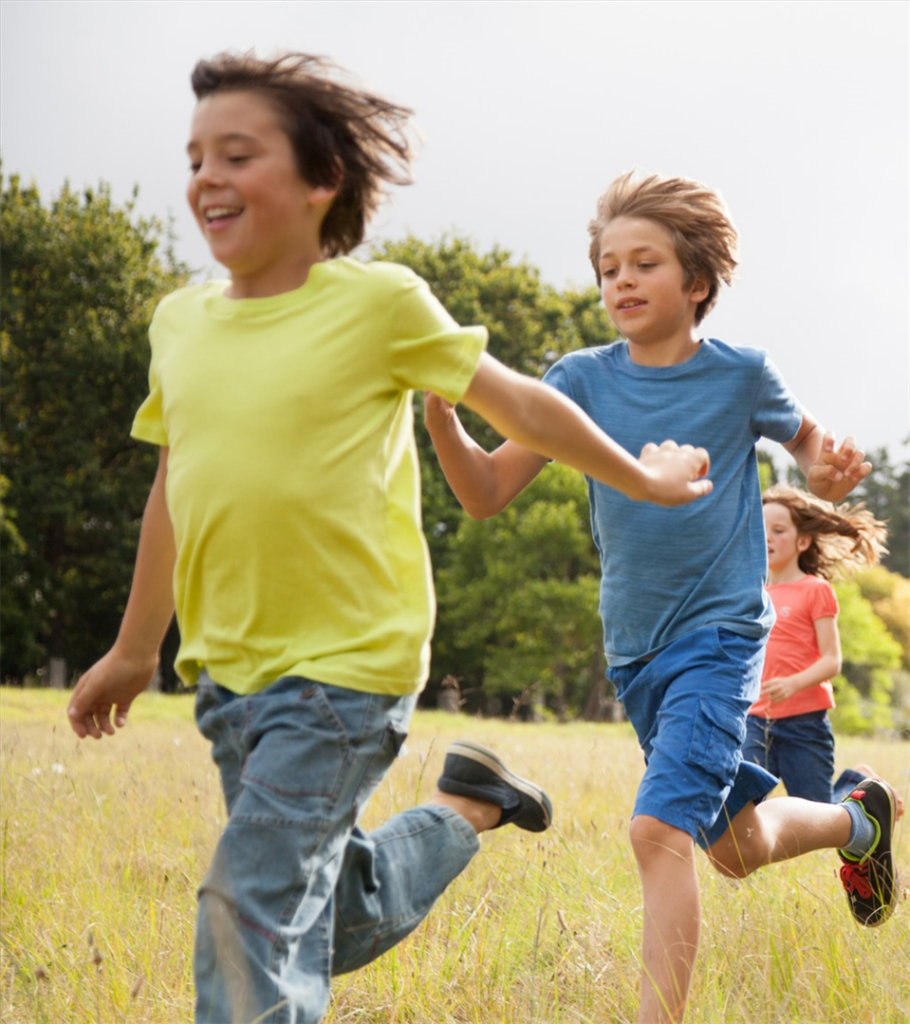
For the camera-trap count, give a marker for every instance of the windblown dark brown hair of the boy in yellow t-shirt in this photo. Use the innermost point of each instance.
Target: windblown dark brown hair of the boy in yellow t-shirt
(341, 135)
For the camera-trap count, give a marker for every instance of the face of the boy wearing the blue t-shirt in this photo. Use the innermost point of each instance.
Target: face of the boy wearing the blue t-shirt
(643, 283)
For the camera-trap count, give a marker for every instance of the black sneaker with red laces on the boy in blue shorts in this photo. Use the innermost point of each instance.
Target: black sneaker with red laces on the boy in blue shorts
(870, 880)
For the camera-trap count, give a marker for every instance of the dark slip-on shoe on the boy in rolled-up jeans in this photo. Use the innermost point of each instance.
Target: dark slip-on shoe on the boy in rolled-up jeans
(474, 772)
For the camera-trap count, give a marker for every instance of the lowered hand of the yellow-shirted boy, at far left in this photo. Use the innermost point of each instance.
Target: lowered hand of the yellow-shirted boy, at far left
(111, 685)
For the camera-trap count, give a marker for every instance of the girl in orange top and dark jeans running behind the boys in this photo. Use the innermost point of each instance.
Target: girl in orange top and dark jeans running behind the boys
(789, 732)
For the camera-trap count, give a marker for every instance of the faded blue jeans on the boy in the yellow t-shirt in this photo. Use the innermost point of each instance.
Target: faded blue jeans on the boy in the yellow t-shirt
(296, 892)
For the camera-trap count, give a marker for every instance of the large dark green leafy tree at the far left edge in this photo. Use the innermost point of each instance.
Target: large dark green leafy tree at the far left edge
(79, 280)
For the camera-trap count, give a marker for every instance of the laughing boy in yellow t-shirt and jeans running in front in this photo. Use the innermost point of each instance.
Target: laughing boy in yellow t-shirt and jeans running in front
(284, 526)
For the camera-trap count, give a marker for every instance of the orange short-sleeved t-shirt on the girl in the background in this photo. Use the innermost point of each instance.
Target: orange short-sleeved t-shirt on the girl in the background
(793, 645)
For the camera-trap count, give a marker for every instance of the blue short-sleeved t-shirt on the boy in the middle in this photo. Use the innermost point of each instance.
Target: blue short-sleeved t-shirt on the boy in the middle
(668, 572)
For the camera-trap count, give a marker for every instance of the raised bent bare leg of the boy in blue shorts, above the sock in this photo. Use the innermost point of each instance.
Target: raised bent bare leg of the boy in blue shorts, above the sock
(778, 830)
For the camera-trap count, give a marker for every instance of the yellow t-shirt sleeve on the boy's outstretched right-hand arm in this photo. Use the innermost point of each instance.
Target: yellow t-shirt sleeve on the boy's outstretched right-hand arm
(429, 352)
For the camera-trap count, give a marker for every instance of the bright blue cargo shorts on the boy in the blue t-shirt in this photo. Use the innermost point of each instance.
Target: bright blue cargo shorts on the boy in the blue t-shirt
(689, 707)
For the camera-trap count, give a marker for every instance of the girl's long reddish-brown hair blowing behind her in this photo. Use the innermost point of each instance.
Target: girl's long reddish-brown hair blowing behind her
(842, 539)
